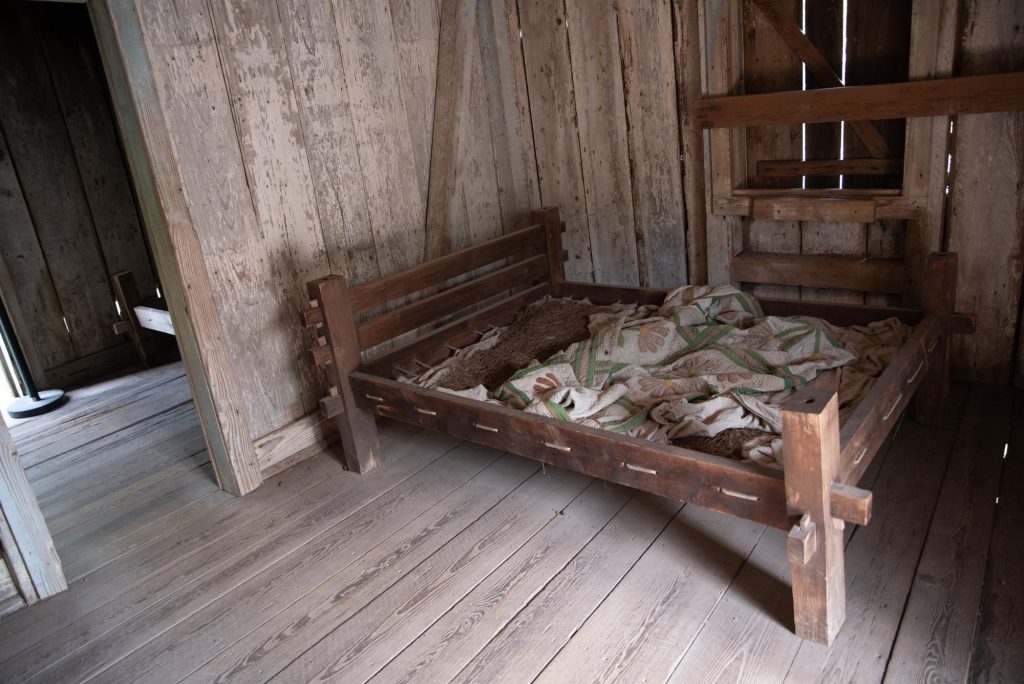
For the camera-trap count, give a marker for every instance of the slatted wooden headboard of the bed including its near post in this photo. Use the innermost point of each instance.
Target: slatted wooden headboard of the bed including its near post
(533, 261)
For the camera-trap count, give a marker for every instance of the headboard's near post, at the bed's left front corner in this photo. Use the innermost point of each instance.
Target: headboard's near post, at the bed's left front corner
(338, 354)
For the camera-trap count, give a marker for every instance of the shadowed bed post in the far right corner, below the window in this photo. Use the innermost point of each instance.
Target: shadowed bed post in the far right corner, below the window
(940, 298)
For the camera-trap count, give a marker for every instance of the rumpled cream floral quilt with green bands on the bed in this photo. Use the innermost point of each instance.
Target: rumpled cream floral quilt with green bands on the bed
(707, 360)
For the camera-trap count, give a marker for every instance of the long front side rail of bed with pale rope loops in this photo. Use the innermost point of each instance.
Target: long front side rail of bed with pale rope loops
(739, 489)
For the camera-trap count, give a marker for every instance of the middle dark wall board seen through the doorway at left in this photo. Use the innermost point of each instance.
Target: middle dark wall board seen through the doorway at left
(38, 144)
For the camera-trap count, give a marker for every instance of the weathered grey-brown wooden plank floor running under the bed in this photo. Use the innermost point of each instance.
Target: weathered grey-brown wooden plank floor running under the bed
(454, 563)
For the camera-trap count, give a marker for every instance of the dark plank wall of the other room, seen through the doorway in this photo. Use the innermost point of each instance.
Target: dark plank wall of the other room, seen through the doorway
(67, 210)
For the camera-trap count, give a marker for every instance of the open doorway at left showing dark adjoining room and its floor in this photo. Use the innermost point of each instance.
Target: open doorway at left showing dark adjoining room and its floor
(127, 451)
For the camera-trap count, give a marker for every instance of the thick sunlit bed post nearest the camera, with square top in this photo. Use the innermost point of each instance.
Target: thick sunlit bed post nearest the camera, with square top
(810, 437)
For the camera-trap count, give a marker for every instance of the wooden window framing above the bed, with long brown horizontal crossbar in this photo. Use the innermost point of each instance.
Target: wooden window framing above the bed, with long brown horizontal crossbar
(718, 111)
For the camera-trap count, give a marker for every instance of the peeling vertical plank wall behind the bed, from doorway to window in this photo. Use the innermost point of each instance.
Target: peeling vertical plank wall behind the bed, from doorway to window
(319, 137)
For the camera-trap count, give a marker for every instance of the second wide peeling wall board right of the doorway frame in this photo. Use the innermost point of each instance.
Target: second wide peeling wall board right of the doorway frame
(254, 62)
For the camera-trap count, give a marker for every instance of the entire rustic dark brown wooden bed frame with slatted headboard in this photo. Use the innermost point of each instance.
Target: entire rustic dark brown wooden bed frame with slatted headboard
(814, 498)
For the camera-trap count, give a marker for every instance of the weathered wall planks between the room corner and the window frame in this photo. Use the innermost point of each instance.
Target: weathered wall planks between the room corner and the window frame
(603, 85)
